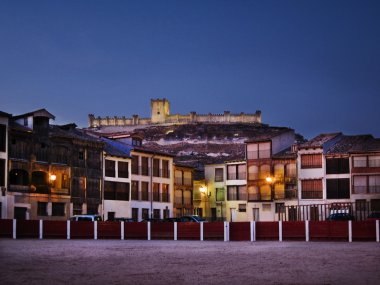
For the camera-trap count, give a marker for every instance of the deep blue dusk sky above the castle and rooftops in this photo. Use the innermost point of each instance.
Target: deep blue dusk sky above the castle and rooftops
(310, 65)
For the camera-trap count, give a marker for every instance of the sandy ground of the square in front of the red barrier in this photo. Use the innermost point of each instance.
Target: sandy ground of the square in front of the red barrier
(187, 262)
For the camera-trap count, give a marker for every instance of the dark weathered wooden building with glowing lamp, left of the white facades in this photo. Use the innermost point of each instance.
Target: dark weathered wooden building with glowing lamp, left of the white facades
(54, 171)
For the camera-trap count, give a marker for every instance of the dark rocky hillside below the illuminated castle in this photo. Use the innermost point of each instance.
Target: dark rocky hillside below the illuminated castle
(198, 144)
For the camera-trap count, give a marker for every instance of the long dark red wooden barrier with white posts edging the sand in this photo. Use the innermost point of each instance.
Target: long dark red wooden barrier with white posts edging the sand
(235, 231)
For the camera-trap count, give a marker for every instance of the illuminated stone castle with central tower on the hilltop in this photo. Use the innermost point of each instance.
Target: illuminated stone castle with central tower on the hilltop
(160, 114)
